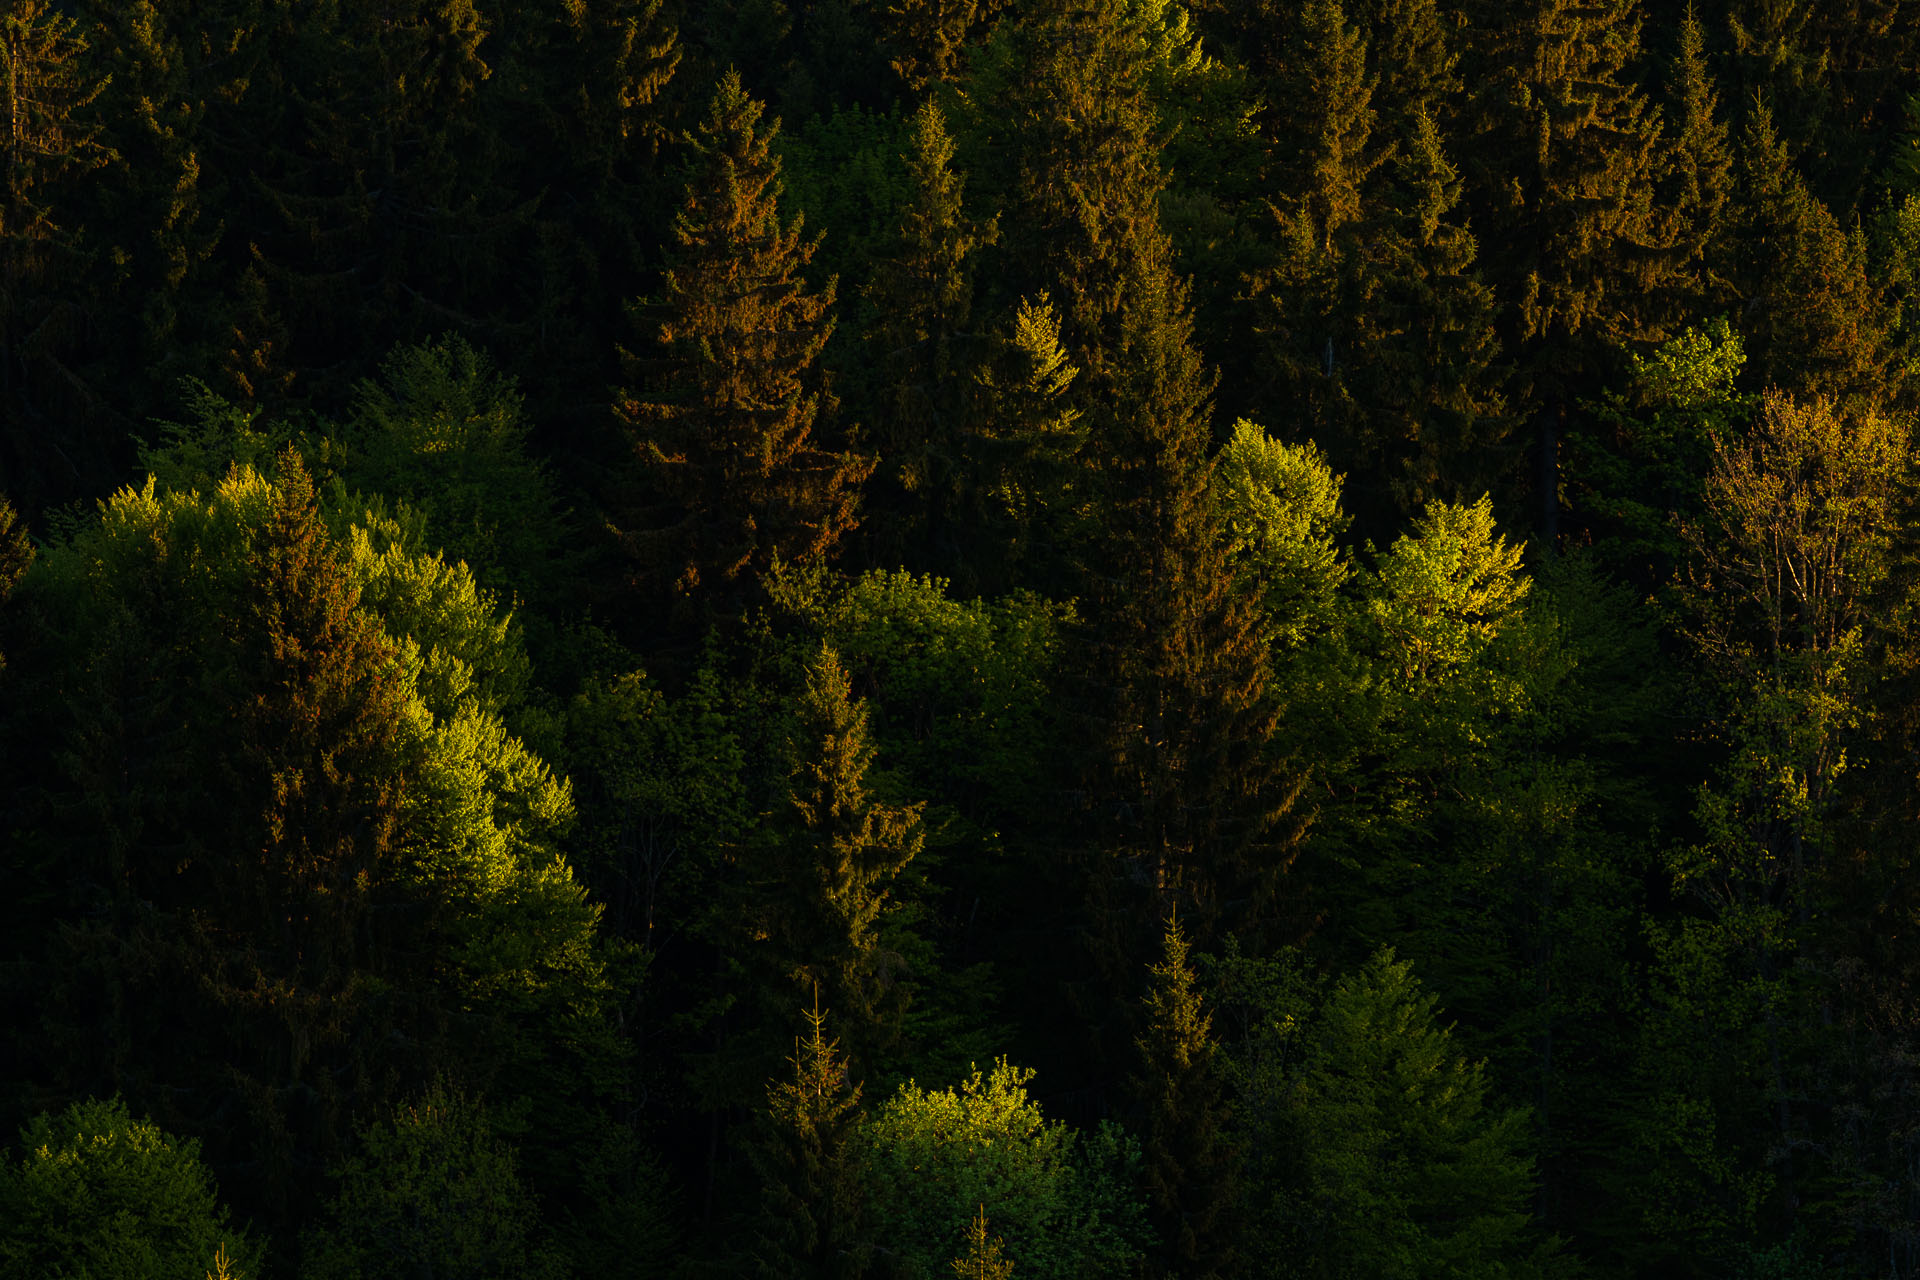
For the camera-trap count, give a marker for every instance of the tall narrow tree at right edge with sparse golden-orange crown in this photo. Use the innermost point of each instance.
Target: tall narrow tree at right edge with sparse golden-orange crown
(1798, 534)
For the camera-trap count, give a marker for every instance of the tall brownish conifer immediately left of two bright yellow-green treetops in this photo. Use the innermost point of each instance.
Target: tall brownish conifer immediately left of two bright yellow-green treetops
(1189, 763)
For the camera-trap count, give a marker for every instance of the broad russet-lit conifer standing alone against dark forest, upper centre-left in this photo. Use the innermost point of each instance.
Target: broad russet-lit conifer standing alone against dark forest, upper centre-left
(725, 423)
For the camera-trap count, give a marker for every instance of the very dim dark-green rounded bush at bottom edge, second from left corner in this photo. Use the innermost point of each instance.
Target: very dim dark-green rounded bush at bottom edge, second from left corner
(431, 1193)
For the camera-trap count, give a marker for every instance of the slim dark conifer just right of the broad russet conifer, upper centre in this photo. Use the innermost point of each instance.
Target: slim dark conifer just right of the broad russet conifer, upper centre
(923, 354)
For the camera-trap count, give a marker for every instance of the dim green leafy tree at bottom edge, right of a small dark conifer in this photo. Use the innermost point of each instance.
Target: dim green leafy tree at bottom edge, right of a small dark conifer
(1403, 1166)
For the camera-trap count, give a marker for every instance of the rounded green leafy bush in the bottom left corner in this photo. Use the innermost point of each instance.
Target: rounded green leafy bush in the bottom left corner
(107, 1197)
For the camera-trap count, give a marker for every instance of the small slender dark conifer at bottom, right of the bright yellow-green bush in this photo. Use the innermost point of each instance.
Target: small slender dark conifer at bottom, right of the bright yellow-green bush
(1191, 1168)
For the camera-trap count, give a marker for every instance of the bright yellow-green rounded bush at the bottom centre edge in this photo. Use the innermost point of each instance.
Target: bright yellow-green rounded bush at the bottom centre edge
(936, 1158)
